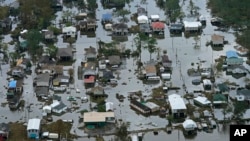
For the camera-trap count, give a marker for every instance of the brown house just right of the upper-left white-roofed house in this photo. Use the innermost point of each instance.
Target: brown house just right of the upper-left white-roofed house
(87, 25)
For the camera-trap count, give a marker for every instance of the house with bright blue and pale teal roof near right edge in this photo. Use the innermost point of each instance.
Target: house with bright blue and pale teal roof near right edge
(233, 59)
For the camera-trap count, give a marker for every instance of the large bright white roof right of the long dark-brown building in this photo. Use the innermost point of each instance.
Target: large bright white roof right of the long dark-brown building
(176, 102)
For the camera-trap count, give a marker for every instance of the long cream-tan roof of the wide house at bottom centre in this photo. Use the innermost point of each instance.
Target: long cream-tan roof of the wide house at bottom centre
(97, 116)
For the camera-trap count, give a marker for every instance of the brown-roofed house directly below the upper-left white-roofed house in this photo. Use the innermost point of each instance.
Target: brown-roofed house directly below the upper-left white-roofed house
(64, 54)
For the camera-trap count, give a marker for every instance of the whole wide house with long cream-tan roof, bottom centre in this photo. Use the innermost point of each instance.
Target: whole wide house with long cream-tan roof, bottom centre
(98, 119)
